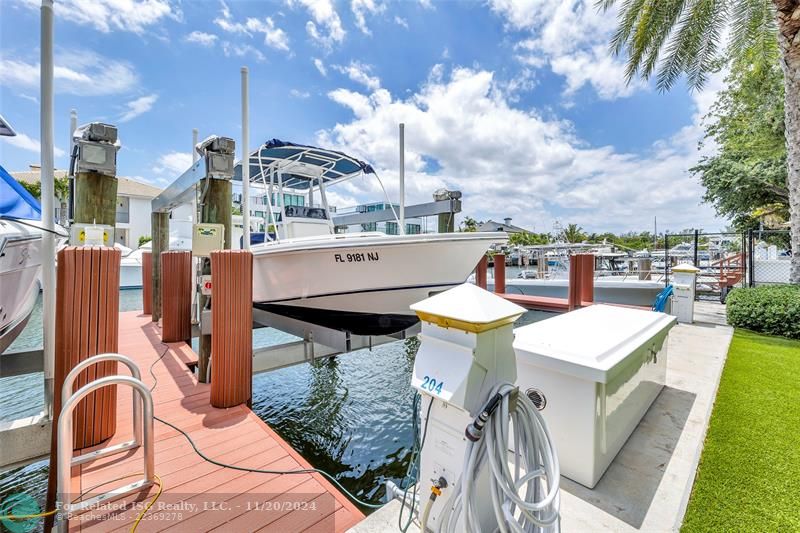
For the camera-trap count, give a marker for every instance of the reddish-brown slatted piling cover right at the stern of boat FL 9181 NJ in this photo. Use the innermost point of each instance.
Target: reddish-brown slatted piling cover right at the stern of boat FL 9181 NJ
(231, 322)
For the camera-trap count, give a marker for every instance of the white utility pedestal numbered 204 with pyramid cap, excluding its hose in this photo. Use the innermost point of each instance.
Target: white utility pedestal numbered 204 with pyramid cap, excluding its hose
(466, 349)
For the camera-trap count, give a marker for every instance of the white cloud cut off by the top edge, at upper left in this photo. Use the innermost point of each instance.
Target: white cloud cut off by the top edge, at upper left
(135, 16)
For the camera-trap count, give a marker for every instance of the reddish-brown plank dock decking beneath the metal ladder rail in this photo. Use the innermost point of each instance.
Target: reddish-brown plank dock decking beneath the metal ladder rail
(198, 495)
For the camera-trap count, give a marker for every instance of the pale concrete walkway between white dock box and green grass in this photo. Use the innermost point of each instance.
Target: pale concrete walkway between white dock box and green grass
(648, 484)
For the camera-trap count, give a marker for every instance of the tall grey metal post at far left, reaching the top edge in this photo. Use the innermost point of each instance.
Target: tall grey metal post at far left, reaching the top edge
(48, 212)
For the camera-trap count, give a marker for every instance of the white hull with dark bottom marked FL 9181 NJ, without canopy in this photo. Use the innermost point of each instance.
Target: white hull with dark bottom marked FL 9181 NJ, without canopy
(362, 285)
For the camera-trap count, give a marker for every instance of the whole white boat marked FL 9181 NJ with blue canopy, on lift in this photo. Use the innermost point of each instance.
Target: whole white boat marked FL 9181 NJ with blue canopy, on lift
(360, 283)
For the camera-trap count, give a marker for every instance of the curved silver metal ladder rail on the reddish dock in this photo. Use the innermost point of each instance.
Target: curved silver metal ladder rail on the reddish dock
(142, 433)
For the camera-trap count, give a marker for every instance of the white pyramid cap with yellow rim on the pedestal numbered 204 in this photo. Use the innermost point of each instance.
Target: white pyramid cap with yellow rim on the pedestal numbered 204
(468, 308)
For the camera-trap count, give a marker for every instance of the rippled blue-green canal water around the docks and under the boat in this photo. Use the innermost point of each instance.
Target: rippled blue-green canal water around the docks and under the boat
(349, 415)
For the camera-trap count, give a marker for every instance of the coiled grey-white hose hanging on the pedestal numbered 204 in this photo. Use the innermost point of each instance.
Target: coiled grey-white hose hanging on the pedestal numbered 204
(535, 468)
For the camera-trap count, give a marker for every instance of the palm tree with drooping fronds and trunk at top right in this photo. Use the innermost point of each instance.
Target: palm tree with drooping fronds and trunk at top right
(675, 37)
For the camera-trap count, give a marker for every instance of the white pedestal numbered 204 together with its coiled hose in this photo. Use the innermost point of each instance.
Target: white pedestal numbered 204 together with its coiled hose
(465, 369)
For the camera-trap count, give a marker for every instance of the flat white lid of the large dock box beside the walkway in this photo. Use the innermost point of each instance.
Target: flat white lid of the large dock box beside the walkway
(590, 342)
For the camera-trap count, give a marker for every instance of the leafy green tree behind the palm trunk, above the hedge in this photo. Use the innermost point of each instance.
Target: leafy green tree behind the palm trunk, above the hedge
(746, 179)
